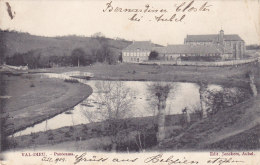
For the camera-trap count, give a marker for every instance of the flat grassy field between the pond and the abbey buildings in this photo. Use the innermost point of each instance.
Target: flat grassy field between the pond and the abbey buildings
(227, 76)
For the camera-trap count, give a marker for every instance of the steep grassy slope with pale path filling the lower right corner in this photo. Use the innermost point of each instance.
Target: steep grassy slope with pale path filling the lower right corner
(235, 128)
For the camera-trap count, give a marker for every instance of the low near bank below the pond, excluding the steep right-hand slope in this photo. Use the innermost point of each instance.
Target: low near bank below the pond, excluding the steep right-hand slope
(64, 137)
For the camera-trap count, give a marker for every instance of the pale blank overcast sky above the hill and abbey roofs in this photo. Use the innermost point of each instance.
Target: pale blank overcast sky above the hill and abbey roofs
(57, 18)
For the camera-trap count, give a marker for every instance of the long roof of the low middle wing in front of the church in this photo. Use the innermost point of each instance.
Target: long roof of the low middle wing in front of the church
(189, 49)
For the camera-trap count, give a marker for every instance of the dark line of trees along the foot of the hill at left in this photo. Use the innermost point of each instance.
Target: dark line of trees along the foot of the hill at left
(78, 57)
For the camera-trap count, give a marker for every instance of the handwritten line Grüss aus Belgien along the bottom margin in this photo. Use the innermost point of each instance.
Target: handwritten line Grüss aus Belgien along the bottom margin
(159, 159)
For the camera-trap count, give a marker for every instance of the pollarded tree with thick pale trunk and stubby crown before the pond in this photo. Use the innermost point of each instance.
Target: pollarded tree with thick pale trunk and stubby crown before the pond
(160, 91)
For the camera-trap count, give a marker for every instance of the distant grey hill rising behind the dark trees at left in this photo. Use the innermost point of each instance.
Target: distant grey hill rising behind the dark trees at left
(15, 42)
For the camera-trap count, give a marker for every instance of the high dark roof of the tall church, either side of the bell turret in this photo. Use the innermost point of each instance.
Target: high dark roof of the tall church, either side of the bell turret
(212, 37)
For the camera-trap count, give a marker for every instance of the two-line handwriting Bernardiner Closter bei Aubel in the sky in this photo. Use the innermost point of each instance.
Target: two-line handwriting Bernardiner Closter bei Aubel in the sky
(176, 13)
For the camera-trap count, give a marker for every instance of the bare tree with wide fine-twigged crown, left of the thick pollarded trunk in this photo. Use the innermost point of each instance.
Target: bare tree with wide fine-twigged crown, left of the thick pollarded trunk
(114, 101)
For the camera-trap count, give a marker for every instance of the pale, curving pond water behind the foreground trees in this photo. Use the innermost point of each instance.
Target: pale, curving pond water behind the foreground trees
(181, 96)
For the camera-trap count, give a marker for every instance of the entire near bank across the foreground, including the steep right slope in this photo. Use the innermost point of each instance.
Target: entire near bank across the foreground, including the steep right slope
(227, 129)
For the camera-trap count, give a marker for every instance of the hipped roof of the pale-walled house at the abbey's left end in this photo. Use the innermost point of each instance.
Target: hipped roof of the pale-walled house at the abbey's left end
(141, 45)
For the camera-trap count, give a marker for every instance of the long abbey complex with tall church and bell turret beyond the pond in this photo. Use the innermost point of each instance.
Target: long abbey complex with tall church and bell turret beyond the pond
(226, 47)
